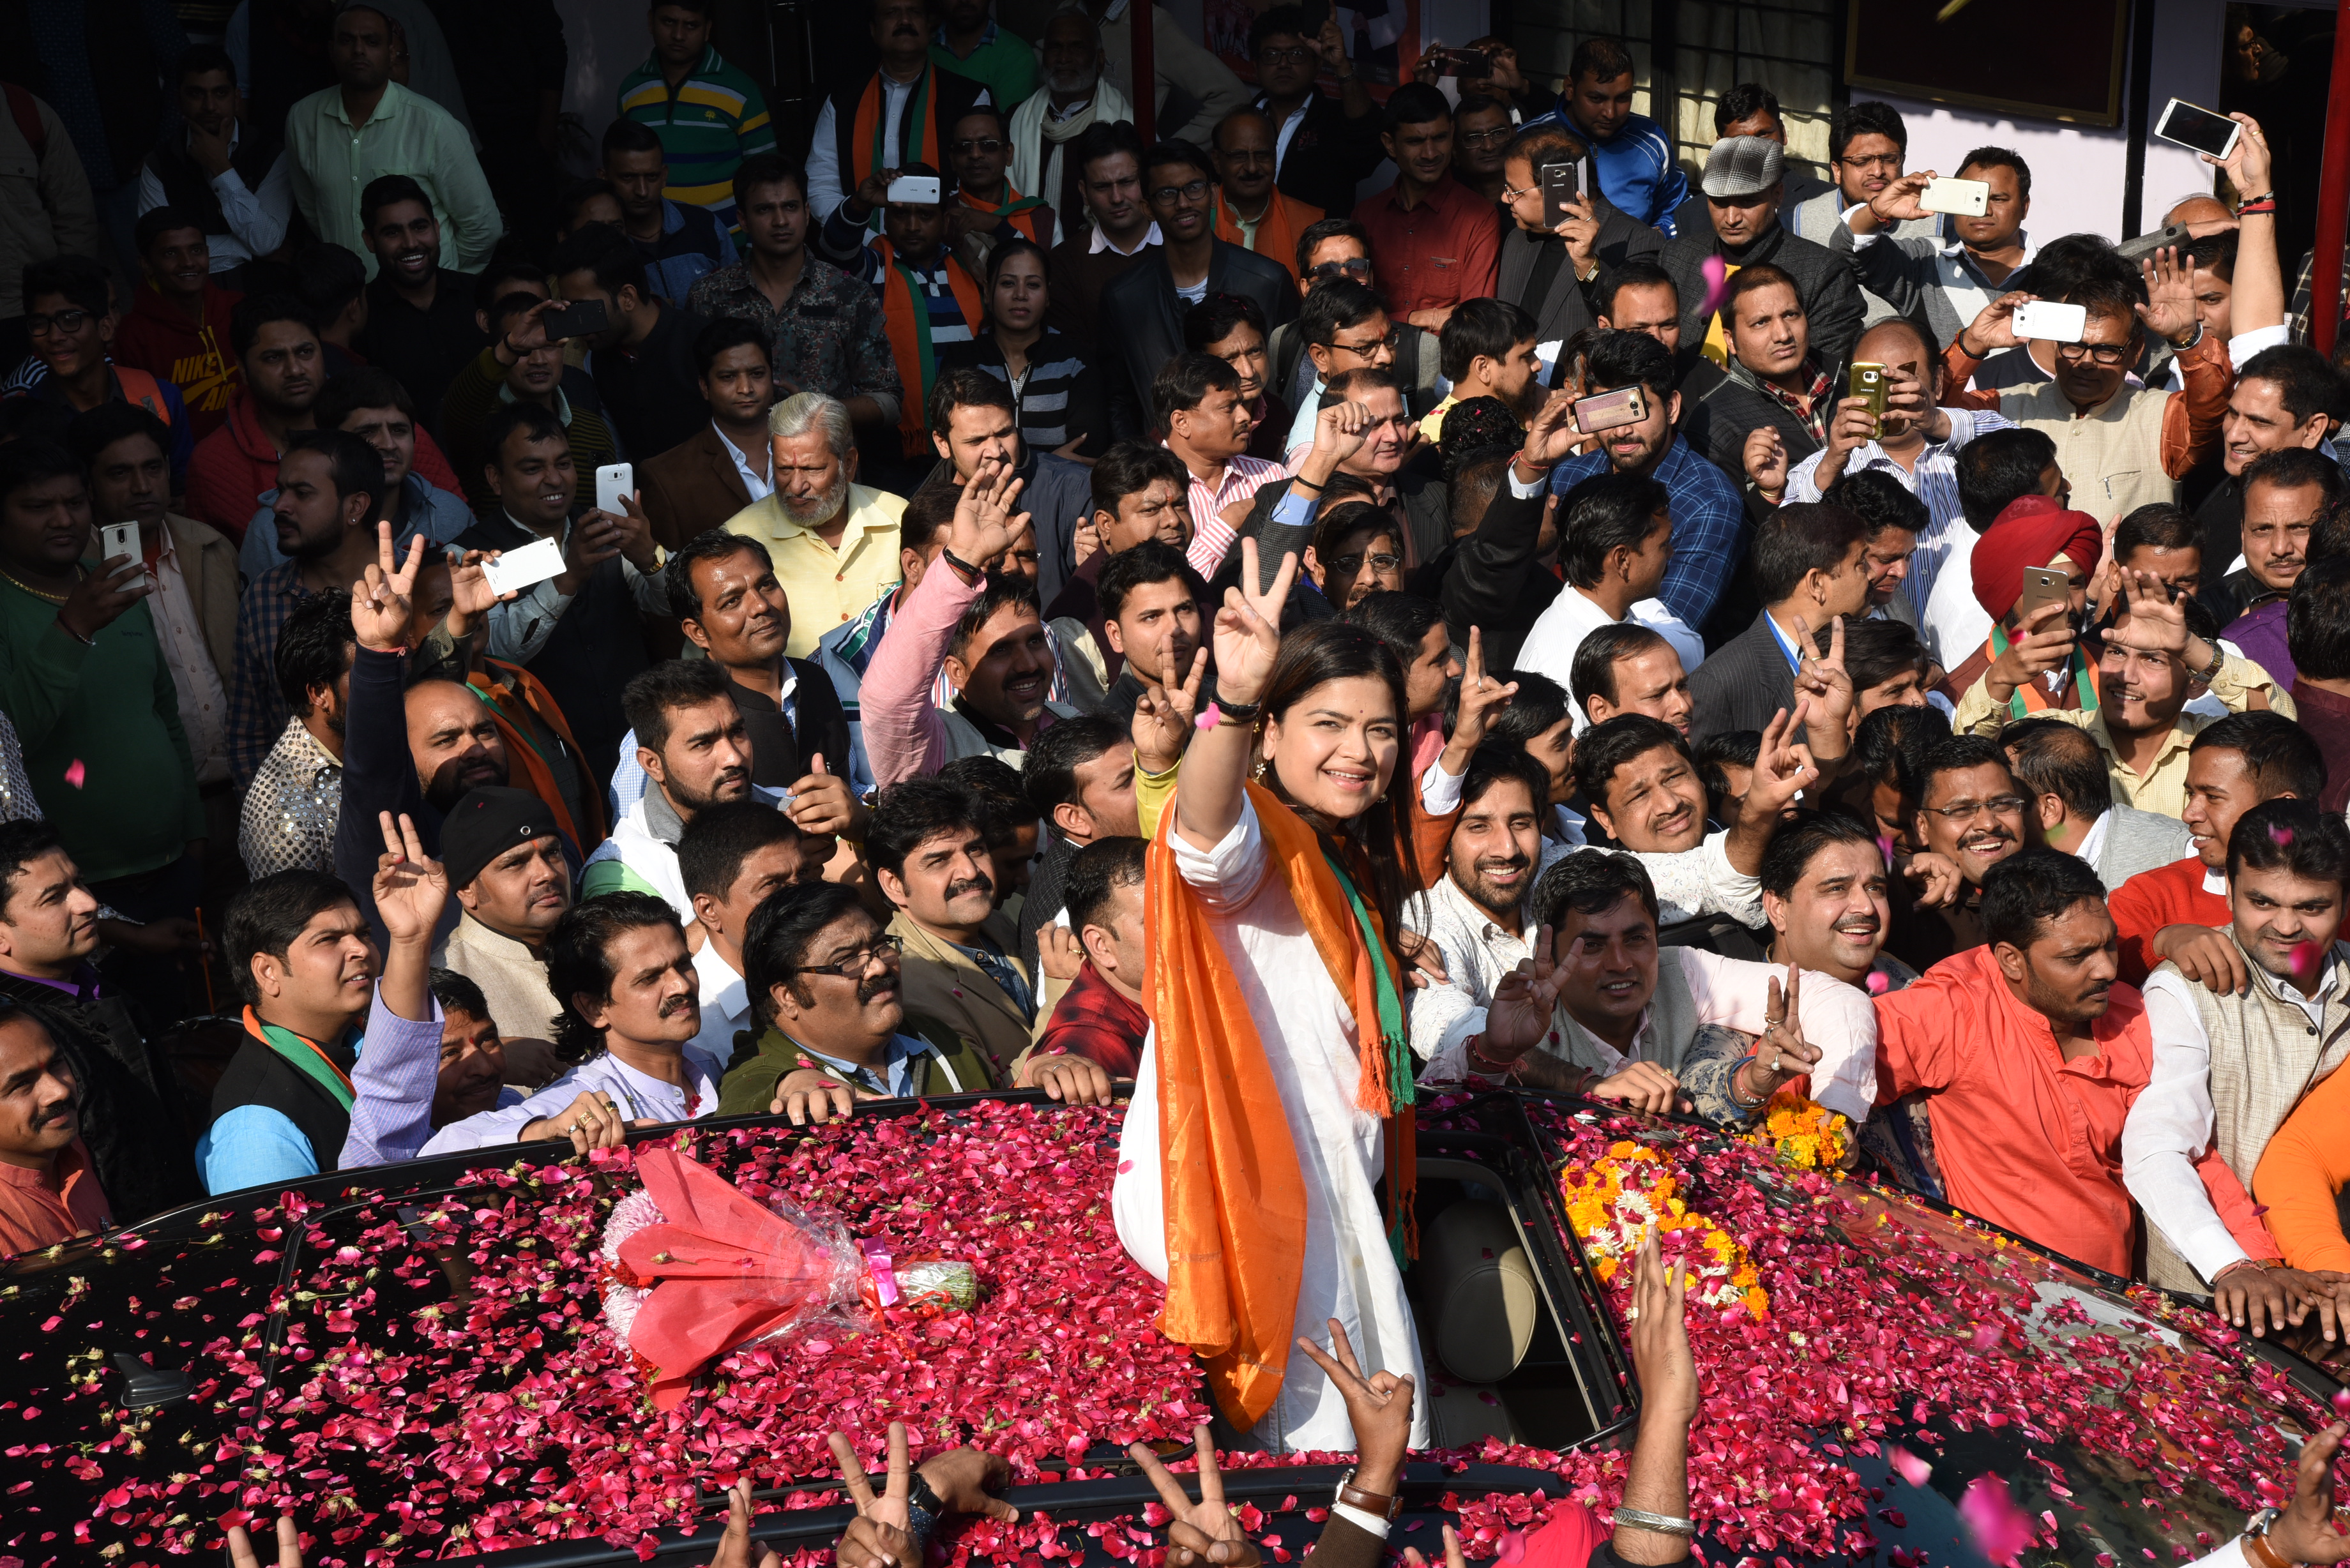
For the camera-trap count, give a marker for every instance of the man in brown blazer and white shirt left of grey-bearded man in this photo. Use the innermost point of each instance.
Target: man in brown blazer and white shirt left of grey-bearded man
(727, 464)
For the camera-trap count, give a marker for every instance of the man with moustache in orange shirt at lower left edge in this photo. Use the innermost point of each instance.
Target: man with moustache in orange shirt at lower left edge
(48, 1191)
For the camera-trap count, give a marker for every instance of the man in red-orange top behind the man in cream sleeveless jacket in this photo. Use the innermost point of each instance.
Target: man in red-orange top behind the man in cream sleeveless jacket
(2170, 913)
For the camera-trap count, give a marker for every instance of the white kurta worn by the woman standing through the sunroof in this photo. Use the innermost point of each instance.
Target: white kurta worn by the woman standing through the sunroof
(1310, 1043)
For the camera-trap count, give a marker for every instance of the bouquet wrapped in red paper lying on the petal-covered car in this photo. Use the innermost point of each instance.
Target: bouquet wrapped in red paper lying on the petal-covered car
(697, 1271)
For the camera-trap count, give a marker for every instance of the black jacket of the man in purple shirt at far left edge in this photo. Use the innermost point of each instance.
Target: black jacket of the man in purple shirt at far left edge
(133, 1118)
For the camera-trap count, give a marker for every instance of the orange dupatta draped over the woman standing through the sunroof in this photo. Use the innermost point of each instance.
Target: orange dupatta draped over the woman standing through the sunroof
(1235, 1193)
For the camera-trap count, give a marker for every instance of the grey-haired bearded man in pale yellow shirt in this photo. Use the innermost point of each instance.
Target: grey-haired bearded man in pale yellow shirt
(833, 542)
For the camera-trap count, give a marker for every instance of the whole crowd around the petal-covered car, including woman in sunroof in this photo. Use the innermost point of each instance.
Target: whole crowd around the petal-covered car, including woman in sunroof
(1256, 624)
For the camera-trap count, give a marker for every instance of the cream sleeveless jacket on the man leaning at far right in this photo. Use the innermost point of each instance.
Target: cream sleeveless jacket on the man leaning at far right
(2264, 1057)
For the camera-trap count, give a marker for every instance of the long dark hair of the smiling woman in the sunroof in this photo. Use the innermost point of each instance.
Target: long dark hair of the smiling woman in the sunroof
(1378, 845)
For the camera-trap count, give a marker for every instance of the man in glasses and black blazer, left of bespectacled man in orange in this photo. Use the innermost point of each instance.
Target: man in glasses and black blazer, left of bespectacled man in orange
(1141, 326)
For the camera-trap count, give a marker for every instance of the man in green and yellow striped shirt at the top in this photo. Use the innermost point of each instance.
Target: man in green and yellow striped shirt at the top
(709, 114)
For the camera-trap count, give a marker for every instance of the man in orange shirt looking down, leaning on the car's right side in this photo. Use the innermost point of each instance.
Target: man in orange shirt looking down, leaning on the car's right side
(2029, 1059)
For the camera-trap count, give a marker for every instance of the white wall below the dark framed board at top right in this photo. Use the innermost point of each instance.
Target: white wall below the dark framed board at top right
(2079, 168)
